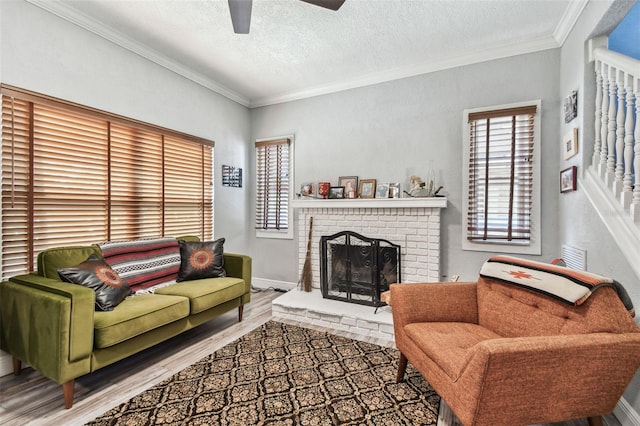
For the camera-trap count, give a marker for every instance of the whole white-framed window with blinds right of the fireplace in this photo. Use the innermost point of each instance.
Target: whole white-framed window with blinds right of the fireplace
(502, 185)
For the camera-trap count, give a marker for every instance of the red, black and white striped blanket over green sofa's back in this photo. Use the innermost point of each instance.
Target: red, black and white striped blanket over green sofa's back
(143, 263)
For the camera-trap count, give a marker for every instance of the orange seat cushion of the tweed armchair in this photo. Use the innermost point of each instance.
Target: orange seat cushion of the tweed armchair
(448, 344)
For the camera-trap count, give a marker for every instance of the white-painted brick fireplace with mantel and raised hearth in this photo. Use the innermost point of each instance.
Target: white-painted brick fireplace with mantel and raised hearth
(413, 223)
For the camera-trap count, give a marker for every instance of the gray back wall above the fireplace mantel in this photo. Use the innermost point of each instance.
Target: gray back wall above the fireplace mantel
(392, 130)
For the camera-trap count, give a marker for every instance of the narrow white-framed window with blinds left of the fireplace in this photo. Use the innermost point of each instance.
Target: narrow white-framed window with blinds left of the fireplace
(273, 185)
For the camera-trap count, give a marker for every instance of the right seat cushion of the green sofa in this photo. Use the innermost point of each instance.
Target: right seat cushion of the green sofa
(206, 293)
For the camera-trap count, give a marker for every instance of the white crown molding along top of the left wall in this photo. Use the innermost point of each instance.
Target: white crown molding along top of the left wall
(71, 15)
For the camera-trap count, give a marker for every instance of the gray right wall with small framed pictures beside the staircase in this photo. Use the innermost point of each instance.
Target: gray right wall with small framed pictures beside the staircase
(580, 225)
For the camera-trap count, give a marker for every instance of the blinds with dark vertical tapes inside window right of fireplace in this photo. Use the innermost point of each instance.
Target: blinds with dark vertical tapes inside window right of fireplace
(501, 175)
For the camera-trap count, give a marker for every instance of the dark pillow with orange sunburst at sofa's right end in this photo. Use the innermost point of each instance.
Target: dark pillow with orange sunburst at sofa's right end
(201, 259)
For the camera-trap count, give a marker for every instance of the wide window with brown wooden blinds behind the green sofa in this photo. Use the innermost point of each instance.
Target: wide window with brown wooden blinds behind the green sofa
(73, 175)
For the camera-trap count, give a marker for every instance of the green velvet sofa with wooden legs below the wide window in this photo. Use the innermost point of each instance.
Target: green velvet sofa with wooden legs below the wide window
(53, 325)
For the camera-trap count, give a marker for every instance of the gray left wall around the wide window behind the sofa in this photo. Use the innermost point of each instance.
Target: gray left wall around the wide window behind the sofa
(46, 54)
